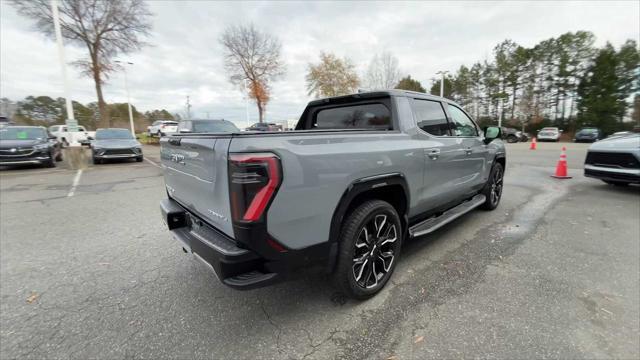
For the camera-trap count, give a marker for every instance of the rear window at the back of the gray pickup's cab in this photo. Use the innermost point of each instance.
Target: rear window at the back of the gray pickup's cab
(361, 116)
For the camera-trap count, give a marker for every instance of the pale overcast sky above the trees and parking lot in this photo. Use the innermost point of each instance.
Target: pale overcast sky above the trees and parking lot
(185, 57)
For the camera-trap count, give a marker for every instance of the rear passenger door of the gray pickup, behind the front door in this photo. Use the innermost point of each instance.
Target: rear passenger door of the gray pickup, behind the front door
(441, 151)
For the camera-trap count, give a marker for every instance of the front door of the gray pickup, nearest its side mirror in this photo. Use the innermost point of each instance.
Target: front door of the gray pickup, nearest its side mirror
(471, 159)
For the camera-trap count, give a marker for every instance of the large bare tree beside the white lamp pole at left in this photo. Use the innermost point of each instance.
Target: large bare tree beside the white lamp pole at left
(106, 28)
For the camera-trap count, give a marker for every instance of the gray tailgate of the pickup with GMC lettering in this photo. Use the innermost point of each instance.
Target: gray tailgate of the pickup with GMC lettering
(196, 177)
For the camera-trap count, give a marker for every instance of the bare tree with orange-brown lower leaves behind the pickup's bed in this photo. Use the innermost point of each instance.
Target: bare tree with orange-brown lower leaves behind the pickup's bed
(253, 56)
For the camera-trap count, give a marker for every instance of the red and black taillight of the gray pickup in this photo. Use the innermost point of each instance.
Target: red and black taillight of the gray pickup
(253, 181)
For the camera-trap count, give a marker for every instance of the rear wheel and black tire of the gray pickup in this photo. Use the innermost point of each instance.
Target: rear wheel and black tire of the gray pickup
(357, 243)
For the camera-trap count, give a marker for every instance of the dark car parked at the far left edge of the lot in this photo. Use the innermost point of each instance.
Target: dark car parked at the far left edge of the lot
(28, 145)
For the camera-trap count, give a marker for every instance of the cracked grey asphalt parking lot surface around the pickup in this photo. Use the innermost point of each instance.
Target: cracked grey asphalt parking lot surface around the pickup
(90, 272)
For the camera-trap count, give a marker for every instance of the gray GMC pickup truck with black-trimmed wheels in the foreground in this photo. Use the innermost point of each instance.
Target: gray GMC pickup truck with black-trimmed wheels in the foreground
(360, 174)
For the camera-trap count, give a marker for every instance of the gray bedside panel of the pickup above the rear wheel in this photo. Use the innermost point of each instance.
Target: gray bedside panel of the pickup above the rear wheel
(318, 168)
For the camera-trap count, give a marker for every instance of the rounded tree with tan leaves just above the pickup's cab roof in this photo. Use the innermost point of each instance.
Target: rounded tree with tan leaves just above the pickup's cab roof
(331, 77)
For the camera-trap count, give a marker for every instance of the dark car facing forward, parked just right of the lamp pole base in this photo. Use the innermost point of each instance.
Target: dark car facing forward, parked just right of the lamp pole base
(115, 144)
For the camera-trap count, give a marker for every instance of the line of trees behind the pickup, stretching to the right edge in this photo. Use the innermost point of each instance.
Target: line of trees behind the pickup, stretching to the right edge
(563, 81)
